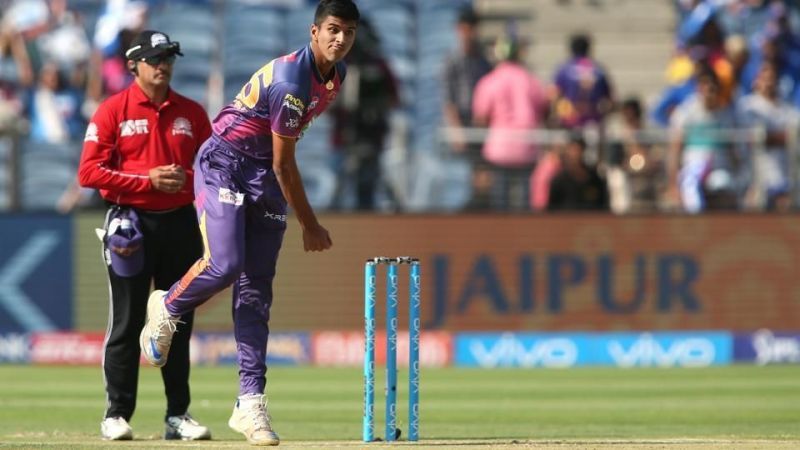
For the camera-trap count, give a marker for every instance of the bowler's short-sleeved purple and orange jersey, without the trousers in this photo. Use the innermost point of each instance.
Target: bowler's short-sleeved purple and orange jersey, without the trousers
(282, 97)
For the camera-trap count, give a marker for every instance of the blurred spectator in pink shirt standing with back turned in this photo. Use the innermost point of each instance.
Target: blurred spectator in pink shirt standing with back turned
(511, 102)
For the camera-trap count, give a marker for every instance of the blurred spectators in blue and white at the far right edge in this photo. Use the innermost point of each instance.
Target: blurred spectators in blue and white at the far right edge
(735, 66)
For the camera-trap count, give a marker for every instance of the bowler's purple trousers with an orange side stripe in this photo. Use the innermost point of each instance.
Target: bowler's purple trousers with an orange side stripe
(242, 215)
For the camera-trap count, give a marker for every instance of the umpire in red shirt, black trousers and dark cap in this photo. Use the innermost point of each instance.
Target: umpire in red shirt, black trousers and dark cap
(138, 152)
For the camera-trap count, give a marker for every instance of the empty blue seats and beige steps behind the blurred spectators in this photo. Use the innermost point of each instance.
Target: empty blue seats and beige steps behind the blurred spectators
(224, 42)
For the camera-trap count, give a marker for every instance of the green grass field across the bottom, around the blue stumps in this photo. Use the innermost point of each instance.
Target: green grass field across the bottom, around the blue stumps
(751, 407)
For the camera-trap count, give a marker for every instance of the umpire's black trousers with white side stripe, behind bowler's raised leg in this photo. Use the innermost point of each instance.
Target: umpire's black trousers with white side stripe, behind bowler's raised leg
(172, 243)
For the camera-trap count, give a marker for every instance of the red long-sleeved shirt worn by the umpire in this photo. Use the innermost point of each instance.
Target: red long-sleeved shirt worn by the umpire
(129, 135)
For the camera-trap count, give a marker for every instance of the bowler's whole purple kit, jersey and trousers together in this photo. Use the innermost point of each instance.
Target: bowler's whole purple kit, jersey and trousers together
(240, 204)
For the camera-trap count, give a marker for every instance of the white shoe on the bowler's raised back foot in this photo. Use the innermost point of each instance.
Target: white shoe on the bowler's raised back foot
(158, 329)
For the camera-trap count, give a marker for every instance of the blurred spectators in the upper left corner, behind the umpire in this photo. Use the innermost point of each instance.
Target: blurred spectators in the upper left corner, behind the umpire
(55, 68)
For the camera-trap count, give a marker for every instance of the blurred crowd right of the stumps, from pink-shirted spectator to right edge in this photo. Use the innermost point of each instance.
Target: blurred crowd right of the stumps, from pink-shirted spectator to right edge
(721, 136)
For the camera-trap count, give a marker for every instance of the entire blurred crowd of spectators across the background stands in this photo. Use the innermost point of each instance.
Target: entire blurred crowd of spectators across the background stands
(721, 135)
